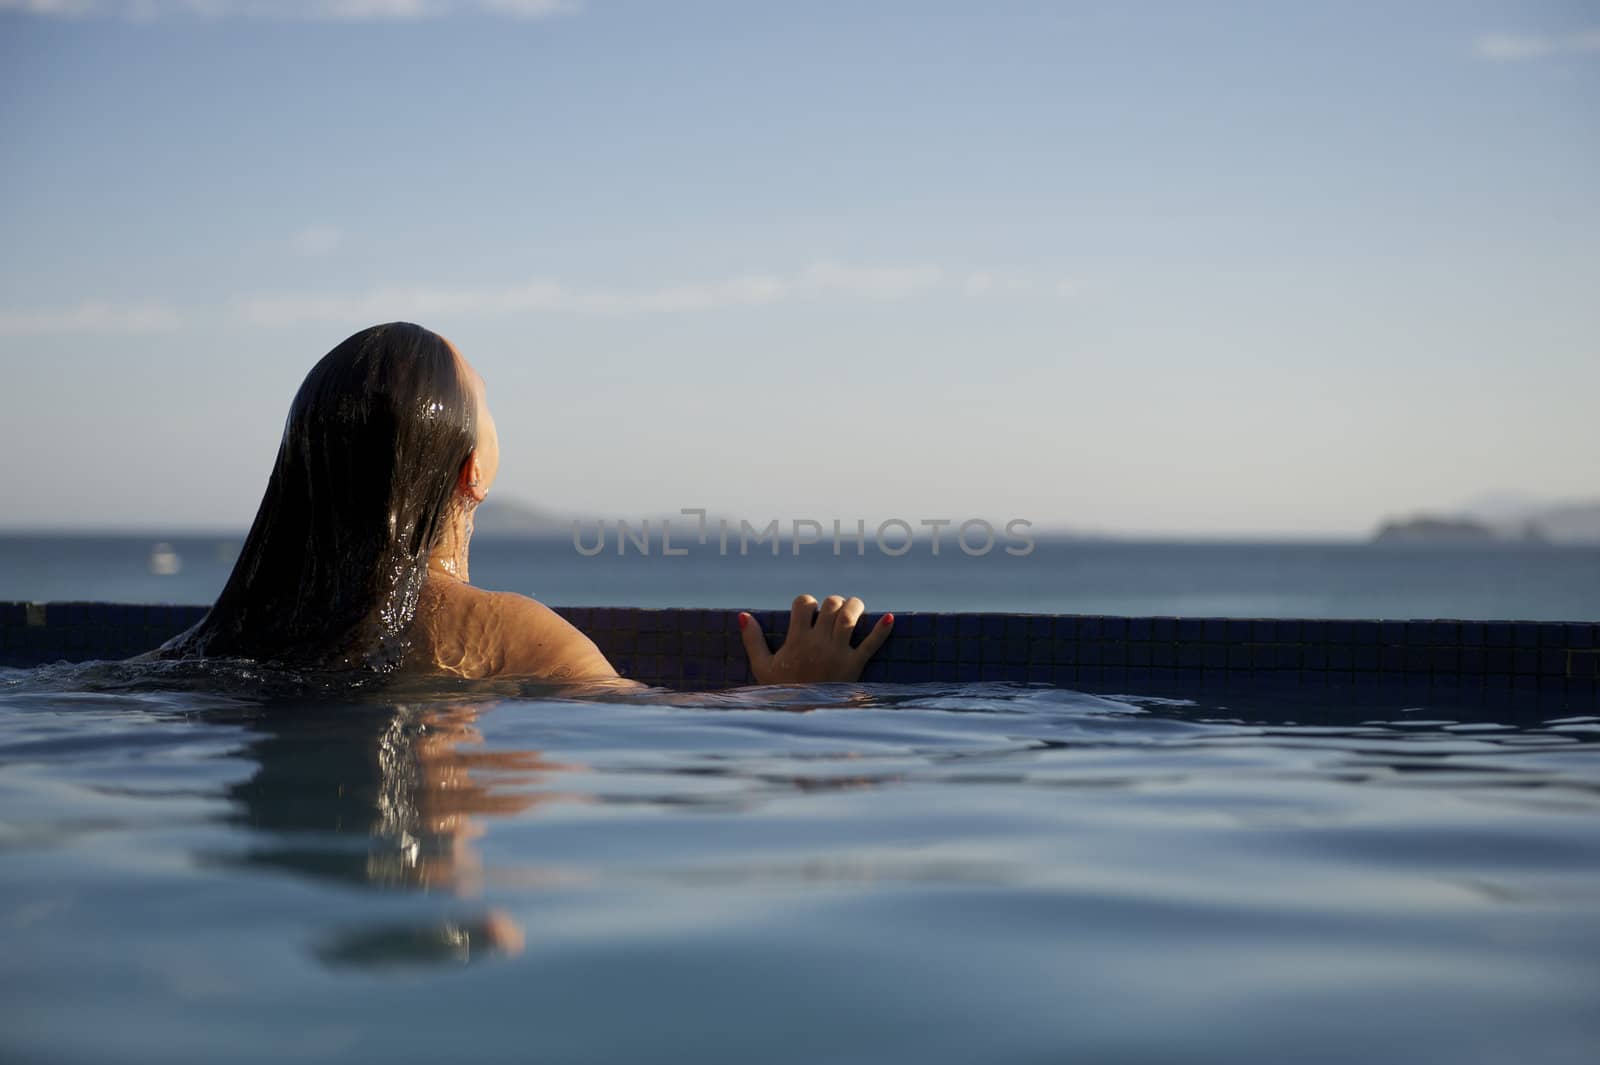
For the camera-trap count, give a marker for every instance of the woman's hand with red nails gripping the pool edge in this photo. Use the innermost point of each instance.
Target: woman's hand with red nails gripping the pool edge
(817, 647)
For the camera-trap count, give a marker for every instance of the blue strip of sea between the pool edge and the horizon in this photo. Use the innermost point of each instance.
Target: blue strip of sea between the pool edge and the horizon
(1060, 576)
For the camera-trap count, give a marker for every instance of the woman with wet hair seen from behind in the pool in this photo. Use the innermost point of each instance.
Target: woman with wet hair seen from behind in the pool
(359, 552)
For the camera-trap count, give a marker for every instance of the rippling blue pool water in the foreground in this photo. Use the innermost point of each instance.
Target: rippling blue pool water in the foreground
(247, 868)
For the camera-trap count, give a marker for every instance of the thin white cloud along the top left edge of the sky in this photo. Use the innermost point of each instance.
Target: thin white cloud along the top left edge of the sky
(292, 10)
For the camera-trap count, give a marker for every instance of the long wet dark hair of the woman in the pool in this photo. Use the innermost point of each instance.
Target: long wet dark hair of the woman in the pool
(359, 495)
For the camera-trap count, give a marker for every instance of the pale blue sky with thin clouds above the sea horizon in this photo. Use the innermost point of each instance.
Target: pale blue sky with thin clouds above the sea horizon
(1177, 269)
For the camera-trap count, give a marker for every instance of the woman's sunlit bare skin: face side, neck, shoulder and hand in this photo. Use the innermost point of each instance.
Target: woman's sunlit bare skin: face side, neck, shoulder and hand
(471, 632)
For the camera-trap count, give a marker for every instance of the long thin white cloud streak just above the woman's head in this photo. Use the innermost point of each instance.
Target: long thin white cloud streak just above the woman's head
(550, 297)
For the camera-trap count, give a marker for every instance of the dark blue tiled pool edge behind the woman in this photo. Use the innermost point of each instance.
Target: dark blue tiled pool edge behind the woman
(702, 650)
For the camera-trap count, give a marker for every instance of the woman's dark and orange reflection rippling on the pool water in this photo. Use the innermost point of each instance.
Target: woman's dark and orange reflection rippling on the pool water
(391, 799)
